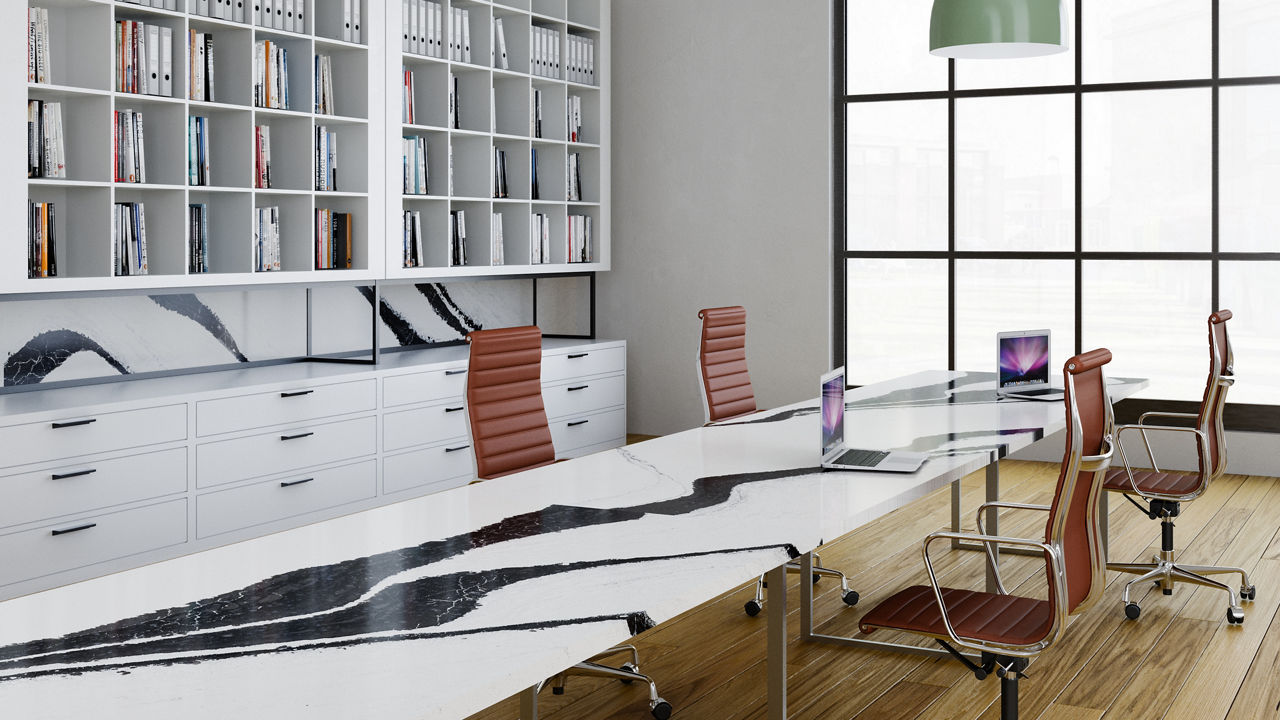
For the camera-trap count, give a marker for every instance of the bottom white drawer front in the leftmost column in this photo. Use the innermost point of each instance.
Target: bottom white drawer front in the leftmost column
(35, 554)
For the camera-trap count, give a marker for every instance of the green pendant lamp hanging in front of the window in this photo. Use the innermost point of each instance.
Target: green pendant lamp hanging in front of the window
(998, 29)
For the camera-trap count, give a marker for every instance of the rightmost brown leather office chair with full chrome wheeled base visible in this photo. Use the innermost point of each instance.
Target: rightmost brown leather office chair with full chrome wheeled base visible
(1164, 491)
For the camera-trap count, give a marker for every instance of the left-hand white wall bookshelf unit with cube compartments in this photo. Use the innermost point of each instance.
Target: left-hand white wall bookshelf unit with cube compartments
(84, 83)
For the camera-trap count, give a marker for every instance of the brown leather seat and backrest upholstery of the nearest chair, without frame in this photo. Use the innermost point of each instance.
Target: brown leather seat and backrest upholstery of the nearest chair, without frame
(1016, 621)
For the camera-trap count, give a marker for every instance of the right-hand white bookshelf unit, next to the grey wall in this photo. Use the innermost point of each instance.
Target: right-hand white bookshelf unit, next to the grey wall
(495, 107)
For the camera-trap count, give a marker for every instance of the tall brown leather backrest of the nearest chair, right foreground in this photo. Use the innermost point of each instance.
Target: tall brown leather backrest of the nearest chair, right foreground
(1073, 523)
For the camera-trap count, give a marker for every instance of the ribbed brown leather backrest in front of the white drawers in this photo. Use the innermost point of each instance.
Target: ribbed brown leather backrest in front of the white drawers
(505, 402)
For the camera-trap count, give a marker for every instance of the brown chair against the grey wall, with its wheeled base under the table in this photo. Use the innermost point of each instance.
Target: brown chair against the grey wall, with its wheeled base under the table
(726, 395)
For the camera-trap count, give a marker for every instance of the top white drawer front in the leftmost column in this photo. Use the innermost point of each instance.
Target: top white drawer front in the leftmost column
(88, 435)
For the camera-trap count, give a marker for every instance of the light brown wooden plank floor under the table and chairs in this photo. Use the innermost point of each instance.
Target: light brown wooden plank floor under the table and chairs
(1180, 660)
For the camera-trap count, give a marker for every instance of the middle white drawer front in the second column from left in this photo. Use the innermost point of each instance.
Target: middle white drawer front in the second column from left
(281, 452)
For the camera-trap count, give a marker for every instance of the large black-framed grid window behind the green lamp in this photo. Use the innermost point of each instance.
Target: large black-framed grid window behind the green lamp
(1117, 194)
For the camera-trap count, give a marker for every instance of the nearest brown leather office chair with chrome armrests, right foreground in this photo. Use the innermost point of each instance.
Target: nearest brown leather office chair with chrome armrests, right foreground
(1008, 631)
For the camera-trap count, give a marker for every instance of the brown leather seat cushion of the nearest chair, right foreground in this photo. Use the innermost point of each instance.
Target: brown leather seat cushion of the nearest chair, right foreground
(976, 616)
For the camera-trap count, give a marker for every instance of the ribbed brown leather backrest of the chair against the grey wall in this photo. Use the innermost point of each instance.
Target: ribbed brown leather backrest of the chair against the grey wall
(723, 364)
